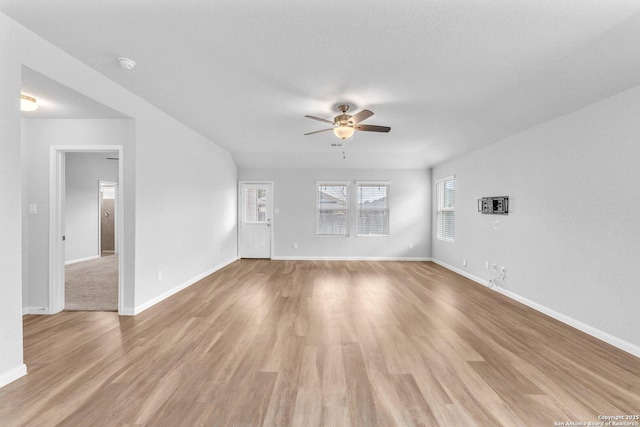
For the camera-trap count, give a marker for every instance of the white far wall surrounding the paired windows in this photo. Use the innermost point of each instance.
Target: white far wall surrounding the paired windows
(295, 197)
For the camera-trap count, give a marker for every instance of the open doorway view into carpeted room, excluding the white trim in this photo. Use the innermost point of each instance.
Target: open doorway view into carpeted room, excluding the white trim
(91, 265)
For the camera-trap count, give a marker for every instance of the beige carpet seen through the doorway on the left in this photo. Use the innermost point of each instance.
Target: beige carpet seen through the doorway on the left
(92, 285)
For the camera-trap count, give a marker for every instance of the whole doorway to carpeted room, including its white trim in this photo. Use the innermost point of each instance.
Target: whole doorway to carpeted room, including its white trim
(77, 229)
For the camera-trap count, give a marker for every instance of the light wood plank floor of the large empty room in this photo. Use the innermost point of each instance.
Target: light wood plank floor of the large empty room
(282, 343)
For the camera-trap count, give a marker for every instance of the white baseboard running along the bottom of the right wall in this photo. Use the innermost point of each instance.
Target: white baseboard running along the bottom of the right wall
(588, 329)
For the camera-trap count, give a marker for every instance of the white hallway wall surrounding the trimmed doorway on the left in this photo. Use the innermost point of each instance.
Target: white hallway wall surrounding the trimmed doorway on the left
(42, 134)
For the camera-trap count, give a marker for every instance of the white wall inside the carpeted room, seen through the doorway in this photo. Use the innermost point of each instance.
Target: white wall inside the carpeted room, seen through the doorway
(82, 202)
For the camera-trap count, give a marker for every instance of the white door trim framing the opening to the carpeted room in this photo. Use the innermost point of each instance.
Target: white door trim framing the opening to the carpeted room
(57, 219)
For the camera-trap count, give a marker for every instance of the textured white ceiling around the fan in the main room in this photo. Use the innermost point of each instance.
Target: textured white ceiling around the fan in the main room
(448, 76)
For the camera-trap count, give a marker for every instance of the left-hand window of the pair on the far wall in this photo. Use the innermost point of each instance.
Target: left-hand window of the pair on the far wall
(333, 209)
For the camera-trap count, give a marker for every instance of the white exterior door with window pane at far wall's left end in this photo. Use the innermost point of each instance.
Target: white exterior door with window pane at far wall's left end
(255, 220)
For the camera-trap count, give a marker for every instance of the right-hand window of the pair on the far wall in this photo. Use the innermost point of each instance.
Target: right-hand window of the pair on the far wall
(372, 209)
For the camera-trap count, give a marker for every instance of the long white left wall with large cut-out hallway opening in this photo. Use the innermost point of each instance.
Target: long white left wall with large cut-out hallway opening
(184, 185)
